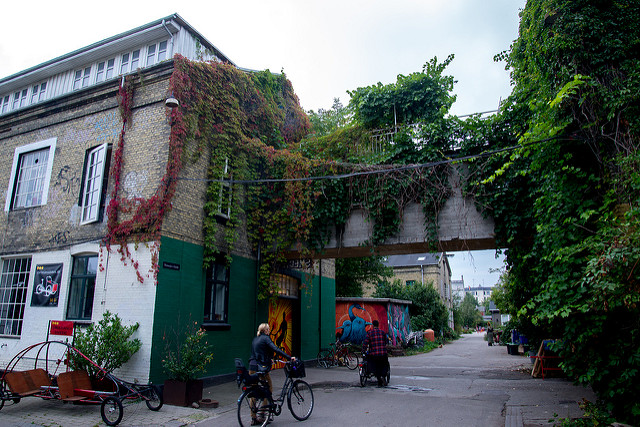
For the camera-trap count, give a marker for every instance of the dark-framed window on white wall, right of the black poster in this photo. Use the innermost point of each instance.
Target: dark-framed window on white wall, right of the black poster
(82, 287)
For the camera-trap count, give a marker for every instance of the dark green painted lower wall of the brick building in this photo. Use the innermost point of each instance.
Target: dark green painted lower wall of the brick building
(179, 305)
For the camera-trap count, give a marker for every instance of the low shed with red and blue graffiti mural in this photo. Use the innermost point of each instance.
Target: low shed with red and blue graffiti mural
(354, 317)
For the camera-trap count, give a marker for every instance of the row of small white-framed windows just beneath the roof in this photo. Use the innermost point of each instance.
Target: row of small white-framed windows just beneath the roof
(92, 74)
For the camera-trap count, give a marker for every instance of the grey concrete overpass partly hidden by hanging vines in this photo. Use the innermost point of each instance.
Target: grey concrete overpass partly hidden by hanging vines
(460, 228)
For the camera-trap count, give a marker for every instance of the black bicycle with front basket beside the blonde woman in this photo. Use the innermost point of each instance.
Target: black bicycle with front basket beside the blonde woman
(256, 405)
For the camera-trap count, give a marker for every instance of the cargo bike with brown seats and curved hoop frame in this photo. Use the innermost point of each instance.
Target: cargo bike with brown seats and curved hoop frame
(44, 370)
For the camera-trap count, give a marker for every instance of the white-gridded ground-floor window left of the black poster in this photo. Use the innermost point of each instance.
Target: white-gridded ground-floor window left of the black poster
(14, 281)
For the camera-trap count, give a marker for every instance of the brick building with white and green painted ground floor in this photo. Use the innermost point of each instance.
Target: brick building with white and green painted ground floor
(59, 126)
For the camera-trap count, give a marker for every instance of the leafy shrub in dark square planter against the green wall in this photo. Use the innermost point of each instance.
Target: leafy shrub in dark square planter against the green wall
(185, 358)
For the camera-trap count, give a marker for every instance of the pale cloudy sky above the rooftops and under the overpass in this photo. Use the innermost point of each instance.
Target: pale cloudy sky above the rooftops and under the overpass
(326, 48)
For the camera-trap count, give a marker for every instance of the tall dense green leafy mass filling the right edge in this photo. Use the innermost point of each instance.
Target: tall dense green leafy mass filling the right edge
(568, 200)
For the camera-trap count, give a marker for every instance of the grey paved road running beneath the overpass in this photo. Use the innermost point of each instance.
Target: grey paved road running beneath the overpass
(465, 383)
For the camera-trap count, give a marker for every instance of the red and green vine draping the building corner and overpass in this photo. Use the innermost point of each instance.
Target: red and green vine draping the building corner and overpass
(251, 126)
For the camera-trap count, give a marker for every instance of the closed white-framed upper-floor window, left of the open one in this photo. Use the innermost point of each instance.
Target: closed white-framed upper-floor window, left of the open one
(30, 175)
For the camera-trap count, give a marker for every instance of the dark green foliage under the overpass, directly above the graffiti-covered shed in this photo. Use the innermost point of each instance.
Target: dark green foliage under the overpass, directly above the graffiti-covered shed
(353, 273)
